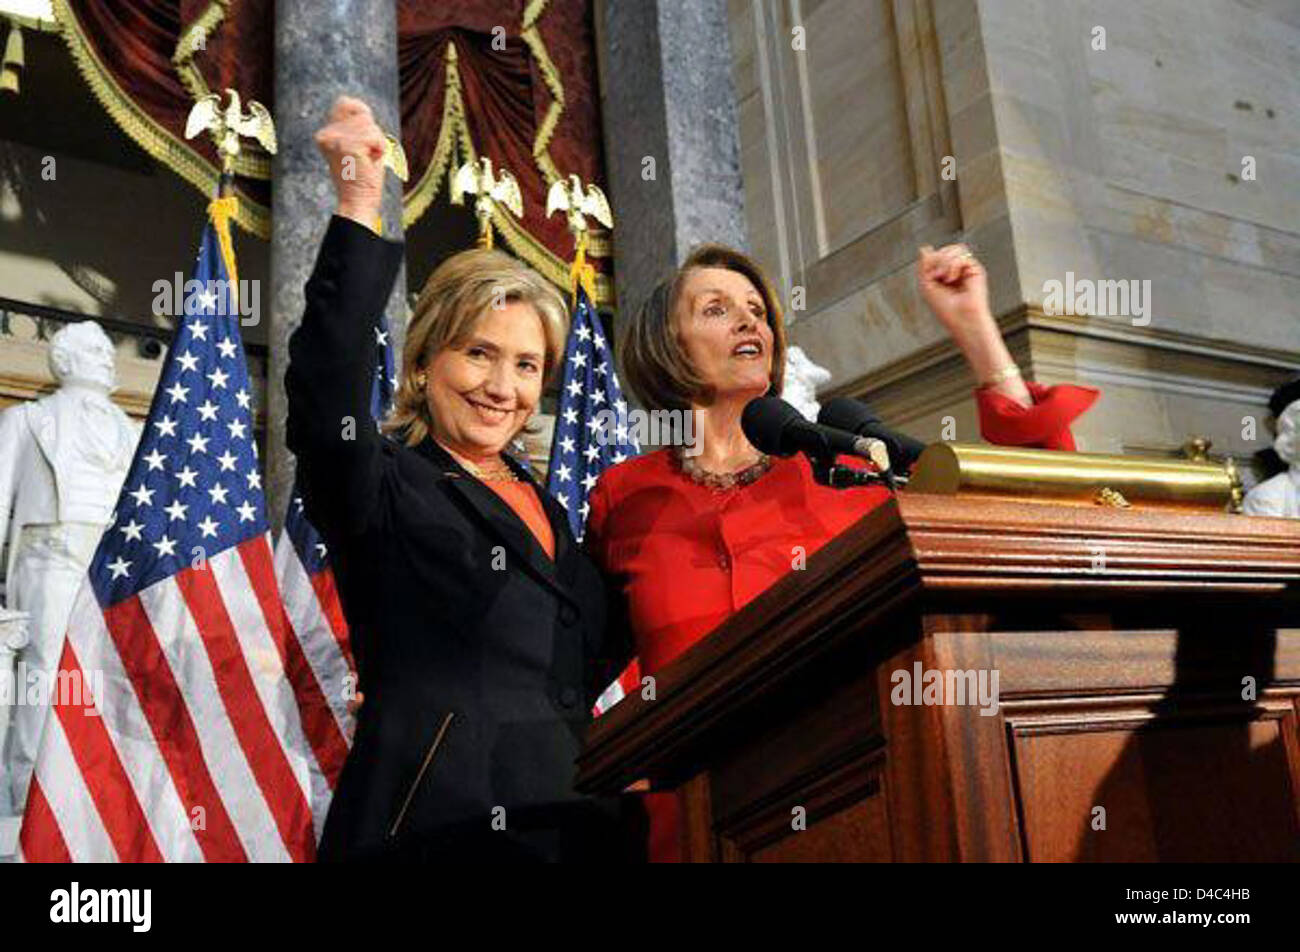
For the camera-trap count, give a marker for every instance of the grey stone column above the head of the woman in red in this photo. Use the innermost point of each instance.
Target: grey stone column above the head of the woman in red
(668, 96)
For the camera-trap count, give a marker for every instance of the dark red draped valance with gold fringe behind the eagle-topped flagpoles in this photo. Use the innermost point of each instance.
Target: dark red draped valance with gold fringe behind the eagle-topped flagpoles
(505, 79)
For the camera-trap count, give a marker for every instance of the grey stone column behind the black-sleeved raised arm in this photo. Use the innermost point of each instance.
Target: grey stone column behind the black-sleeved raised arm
(323, 50)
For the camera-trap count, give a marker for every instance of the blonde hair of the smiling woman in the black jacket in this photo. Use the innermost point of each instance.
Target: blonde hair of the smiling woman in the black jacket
(454, 298)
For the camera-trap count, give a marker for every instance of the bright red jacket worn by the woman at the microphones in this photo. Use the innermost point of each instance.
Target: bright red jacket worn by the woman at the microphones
(688, 557)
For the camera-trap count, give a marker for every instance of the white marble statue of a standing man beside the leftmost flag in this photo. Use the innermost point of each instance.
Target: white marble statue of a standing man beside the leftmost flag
(63, 460)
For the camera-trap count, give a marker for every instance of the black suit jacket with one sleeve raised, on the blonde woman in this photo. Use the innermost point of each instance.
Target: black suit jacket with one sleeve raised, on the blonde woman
(461, 625)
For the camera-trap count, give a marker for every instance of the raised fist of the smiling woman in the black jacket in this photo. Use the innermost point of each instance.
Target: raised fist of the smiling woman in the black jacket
(353, 144)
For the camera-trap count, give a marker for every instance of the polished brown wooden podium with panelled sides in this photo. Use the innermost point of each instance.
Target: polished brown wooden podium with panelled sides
(1126, 644)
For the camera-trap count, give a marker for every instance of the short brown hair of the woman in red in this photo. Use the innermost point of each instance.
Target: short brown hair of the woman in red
(657, 367)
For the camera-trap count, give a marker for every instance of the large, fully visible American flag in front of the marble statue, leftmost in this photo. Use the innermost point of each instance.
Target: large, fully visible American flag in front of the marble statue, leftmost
(194, 750)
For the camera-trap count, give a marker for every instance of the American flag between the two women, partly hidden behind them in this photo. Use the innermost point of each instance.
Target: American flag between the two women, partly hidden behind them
(582, 449)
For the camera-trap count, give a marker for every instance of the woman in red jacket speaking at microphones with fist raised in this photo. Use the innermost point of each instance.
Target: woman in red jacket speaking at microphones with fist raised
(694, 539)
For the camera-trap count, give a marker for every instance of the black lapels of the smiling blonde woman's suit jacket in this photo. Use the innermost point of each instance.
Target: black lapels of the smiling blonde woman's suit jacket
(500, 520)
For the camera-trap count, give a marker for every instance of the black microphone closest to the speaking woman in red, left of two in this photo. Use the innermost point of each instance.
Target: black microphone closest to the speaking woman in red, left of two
(775, 427)
